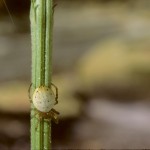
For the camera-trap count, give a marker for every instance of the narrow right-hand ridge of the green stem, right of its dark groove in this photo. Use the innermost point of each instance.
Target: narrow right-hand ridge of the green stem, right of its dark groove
(48, 59)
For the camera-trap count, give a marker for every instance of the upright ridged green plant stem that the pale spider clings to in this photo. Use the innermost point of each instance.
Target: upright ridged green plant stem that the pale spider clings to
(41, 16)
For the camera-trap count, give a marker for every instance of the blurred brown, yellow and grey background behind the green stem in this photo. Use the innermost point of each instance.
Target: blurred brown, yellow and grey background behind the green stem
(101, 65)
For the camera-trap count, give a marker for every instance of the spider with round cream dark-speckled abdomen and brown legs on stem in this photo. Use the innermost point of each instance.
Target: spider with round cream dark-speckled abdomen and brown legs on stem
(44, 100)
